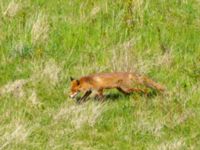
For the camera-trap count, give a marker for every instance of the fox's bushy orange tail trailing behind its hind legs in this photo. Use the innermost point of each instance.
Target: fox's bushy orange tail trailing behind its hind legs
(152, 84)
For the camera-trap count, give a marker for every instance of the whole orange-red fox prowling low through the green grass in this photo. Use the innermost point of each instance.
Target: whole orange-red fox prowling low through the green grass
(123, 81)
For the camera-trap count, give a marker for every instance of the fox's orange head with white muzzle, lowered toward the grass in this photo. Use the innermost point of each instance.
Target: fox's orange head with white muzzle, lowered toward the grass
(75, 87)
